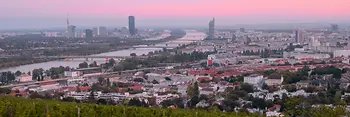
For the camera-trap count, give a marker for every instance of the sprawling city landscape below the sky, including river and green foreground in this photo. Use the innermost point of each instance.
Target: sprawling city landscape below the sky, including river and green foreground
(212, 72)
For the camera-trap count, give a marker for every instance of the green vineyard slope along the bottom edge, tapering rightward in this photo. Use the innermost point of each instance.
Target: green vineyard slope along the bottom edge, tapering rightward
(19, 107)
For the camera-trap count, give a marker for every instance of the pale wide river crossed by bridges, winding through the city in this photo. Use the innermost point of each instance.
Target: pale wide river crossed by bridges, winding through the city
(191, 36)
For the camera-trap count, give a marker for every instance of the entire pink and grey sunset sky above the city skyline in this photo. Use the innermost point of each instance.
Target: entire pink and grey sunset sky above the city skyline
(52, 13)
